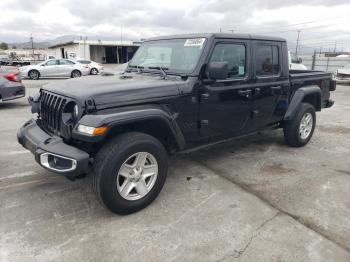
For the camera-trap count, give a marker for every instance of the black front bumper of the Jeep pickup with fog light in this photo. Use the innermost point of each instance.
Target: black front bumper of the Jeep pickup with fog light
(51, 152)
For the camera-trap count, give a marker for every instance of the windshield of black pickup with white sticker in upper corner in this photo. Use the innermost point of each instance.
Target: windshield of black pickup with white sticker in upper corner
(176, 55)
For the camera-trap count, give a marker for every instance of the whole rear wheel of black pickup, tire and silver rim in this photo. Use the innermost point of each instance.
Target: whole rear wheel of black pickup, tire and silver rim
(299, 130)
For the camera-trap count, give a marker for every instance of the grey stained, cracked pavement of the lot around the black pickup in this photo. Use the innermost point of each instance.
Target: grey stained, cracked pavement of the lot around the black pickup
(249, 199)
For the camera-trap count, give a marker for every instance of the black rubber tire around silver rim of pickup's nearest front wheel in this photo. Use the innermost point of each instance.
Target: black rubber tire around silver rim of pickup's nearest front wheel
(108, 162)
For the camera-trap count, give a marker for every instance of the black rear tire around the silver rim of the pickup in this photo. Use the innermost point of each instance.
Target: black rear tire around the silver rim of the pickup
(291, 128)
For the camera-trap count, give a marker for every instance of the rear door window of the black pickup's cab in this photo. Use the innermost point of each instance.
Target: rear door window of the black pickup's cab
(267, 60)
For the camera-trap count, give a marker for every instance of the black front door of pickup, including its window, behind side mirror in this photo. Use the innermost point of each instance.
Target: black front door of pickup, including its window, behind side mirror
(225, 105)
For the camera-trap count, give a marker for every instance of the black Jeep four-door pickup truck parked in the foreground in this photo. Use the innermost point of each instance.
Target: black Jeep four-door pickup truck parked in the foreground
(178, 92)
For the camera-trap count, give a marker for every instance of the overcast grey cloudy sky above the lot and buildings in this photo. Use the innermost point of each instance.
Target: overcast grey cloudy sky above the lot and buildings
(322, 23)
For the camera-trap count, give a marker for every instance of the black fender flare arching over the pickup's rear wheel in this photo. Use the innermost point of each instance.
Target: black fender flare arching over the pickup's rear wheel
(299, 97)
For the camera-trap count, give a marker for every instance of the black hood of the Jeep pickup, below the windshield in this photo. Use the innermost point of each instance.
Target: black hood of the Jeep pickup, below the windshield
(109, 91)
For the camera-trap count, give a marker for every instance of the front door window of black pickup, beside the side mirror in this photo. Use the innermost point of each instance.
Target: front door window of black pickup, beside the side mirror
(234, 55)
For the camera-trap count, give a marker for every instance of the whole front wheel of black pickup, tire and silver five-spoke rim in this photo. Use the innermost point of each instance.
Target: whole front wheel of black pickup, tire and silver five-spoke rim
(130, 172)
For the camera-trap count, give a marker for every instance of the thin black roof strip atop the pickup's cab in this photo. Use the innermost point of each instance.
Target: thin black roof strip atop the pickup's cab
(220, 35)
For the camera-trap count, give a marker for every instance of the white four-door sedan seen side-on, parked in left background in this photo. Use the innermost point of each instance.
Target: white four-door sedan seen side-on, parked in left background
(54, 68)
